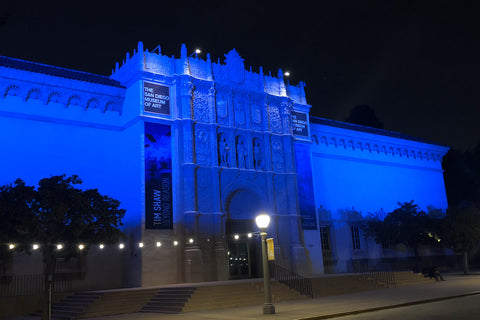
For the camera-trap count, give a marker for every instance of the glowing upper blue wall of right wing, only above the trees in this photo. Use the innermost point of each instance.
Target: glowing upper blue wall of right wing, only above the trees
(370, 172)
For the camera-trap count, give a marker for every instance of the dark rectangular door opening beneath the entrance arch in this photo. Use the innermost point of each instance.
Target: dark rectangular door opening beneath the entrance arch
(242, 251)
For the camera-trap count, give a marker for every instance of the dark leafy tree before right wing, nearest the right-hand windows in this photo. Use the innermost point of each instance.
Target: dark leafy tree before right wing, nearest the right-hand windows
(407, 225)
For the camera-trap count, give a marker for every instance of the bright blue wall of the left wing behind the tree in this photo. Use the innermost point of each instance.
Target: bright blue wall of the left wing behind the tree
(64, 122)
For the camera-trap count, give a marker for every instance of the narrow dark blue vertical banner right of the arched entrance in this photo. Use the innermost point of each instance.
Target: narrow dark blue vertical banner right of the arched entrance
(306, 196)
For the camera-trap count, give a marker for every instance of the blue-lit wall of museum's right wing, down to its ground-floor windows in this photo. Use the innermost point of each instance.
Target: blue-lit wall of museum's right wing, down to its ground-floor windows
(359, 171)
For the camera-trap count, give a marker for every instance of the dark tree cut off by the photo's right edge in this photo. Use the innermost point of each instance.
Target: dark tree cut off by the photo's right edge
(461, 230)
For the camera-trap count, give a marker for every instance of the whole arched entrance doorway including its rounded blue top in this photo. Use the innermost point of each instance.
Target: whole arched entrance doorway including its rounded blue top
(244, 251)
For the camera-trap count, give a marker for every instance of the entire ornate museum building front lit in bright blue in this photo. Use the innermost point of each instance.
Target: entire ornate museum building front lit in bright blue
(194, 150)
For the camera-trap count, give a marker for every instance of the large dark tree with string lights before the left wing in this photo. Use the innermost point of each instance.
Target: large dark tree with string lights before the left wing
(57, 212)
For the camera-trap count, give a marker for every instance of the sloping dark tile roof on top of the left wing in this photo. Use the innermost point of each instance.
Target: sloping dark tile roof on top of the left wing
(57, 71)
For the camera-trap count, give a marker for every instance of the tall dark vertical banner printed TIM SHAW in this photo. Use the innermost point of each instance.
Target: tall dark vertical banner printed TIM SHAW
(158, 177)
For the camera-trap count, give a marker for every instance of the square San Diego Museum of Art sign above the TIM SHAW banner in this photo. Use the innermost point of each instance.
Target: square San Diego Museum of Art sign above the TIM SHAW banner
(156, 98)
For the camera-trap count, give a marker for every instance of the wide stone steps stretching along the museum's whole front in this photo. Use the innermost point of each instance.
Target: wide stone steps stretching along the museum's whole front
(210, 295)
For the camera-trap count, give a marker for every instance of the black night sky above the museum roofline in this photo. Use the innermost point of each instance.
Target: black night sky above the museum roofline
(416, 63)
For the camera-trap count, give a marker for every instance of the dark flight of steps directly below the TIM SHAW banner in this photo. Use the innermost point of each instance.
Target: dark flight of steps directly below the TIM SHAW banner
(169, 300)
